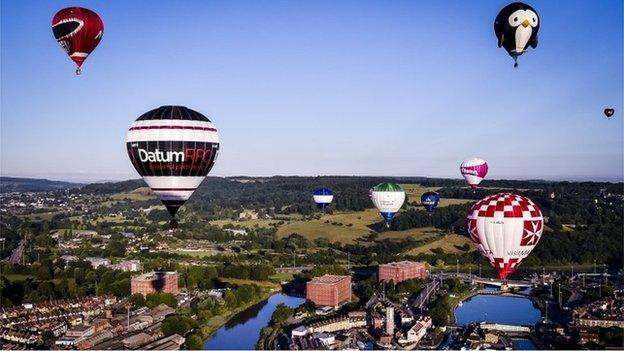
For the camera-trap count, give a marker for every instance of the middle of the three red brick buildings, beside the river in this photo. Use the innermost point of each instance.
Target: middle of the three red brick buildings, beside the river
(329, 290)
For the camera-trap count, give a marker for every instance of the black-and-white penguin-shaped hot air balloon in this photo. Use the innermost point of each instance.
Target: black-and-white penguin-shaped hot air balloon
(516, 27)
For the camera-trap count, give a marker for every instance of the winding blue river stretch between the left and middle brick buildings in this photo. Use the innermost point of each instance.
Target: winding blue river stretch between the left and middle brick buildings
(242, 331)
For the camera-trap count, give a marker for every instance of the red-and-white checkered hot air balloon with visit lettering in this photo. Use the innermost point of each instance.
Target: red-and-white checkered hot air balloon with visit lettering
(505, 227)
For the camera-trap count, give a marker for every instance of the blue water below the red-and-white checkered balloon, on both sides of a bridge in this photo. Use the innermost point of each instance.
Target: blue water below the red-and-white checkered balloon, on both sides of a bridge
(499, 309)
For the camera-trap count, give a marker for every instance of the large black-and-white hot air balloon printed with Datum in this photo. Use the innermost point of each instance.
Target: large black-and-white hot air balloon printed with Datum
(173, 148)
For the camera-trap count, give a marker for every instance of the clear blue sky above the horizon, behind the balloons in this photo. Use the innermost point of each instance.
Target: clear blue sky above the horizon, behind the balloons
(403, 88)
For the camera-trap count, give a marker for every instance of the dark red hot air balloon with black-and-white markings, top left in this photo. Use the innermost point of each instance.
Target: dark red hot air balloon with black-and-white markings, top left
(78, 31)
